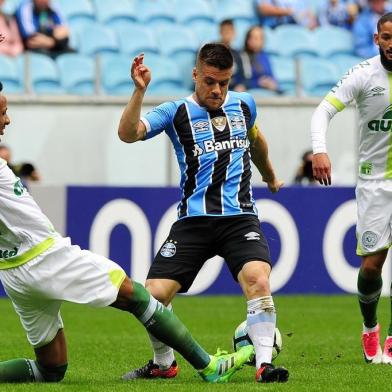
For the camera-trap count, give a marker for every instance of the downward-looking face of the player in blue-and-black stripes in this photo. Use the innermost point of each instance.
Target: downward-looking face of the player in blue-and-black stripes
(211, 85)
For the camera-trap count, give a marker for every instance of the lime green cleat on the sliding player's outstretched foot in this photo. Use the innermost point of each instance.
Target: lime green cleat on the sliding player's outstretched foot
(223, 365)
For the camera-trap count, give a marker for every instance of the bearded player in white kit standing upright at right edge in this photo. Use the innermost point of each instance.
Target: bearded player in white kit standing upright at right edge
(369, 84)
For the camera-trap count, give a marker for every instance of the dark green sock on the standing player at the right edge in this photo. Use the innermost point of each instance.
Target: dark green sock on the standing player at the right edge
(369, 291)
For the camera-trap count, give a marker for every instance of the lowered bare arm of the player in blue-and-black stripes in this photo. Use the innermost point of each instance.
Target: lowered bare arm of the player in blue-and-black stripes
(259, 156)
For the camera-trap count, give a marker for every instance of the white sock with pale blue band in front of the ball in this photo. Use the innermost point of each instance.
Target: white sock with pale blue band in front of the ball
(261, 322)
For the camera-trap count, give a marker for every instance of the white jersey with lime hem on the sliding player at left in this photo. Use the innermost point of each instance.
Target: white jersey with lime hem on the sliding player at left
(25, 231)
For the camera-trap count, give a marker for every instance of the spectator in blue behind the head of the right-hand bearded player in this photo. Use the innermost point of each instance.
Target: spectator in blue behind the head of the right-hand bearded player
(366, 25)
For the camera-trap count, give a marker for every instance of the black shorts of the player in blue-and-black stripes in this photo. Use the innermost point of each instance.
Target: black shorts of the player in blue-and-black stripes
(192, 241)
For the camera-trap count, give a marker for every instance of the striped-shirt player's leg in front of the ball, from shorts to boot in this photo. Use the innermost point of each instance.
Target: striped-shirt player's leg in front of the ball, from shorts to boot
(246, 252)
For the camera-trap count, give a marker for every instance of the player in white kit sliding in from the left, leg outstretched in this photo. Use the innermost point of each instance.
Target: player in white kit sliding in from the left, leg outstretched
(39, 270)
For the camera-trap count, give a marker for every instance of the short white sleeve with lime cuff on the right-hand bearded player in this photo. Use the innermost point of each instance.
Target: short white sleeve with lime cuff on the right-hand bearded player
(346, 89)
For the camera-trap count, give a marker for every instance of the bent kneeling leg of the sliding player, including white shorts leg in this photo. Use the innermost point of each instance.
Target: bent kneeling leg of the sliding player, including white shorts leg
(42, 322)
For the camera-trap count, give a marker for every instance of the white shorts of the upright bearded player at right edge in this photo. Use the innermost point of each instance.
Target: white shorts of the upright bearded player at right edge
(374, 225)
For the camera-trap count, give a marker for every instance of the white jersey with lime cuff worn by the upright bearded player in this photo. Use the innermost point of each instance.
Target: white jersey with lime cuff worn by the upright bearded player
(369, 84)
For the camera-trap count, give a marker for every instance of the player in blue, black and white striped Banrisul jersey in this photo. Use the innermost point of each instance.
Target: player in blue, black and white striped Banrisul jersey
(215, 137)
